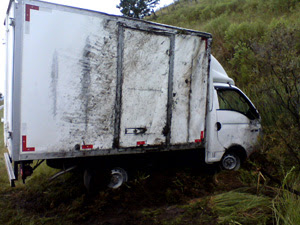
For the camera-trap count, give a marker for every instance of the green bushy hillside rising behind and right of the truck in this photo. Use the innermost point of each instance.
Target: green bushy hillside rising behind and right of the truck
(258, 43)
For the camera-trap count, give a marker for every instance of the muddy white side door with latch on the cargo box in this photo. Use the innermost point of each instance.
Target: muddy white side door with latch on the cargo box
(145, 71)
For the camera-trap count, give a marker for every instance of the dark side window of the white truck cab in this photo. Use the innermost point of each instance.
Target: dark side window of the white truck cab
(234, 100)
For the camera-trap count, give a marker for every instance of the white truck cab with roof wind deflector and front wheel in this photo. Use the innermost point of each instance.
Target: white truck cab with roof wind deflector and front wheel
(234, 123)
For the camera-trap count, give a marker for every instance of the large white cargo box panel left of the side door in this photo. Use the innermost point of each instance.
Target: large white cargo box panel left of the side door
(68, 80)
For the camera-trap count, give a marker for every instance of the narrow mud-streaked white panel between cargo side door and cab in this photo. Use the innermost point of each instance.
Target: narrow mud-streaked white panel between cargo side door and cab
(189, 89)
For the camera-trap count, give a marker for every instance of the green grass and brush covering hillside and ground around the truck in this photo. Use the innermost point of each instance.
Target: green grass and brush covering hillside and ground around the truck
(258, 43)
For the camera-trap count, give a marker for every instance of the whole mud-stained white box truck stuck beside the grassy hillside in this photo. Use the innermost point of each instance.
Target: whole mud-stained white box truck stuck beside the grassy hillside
(86, 88)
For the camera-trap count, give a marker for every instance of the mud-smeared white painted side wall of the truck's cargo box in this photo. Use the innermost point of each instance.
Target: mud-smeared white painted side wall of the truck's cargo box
(69, 81)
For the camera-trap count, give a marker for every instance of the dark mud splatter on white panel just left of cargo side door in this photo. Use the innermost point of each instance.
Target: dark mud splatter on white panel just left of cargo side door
(91, 119)
